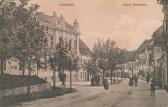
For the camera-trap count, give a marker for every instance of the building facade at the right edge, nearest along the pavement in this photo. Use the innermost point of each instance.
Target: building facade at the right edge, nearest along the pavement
(160, 58)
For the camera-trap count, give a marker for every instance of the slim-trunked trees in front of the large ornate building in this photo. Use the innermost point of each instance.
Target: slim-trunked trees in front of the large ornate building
(62, 59)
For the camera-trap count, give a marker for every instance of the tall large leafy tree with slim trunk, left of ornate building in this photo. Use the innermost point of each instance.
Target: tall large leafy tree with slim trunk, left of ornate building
(28, 33)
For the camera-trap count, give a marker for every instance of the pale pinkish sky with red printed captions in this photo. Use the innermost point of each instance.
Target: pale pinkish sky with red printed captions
(127, 22)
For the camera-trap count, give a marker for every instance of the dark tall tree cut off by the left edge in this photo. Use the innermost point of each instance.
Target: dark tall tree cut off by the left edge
(6, 31)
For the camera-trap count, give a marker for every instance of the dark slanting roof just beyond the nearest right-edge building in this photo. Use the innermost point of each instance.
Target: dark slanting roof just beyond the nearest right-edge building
(143, 46)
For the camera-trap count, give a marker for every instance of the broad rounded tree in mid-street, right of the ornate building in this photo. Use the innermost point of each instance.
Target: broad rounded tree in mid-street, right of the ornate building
(107, 56)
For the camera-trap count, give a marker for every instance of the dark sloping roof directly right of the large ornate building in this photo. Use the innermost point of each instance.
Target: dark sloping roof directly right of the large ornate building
(84, 50)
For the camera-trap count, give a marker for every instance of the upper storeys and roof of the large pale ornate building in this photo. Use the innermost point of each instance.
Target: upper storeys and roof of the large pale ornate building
(57, 28)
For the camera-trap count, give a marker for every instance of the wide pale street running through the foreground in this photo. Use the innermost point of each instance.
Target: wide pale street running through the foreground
(119, 95)
